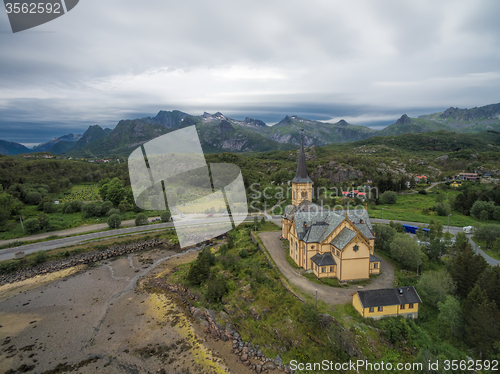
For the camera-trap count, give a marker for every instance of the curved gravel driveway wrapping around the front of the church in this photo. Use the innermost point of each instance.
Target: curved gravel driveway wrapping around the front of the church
(330, 295)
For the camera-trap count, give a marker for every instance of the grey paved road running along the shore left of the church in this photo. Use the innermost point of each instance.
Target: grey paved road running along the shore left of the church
(8, 254)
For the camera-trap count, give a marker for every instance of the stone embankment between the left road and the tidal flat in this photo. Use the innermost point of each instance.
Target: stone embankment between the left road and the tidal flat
(79, 259)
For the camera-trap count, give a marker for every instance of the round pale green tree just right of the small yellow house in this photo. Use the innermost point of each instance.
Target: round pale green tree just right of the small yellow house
(434, 286)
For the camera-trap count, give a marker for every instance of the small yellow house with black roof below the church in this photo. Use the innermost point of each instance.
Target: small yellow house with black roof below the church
(387, 302)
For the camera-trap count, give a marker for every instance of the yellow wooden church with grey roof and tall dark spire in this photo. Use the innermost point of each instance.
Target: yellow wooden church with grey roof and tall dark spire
(333, 243)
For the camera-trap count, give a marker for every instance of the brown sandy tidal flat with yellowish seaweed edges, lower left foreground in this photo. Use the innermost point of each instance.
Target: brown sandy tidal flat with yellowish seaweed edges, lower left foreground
(98, 319)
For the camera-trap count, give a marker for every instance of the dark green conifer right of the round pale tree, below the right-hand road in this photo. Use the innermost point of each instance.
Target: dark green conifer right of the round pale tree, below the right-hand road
(465, 270)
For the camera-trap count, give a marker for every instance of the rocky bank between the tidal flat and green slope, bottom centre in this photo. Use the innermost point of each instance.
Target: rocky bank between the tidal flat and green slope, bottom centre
(247, 353)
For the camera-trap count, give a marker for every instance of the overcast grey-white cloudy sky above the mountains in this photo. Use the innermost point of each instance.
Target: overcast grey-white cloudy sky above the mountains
(365, 61)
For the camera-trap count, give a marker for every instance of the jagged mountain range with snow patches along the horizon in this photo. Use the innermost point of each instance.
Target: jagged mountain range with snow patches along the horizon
(219, 133)
